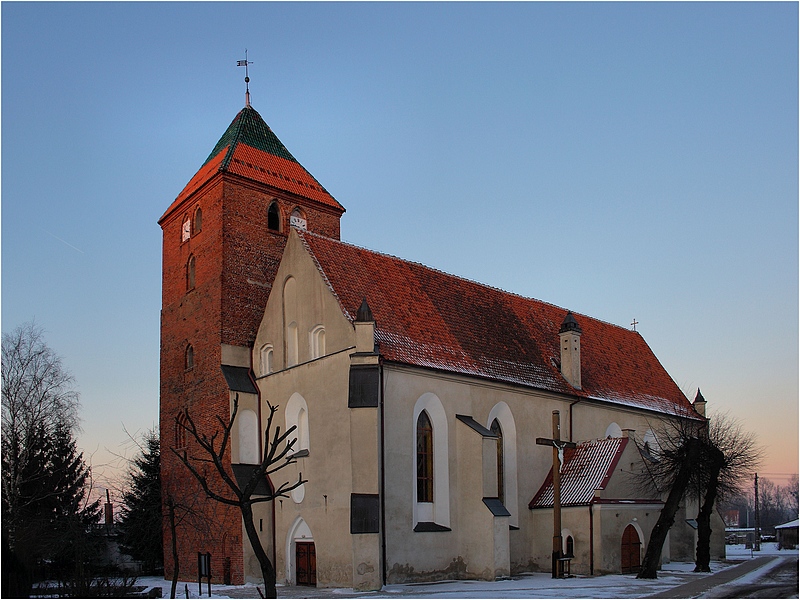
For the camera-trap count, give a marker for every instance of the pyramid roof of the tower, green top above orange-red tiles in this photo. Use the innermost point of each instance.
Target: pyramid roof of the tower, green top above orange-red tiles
(250, 149)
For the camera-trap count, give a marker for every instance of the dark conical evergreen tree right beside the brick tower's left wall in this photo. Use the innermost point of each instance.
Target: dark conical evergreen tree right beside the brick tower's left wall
(140, 524)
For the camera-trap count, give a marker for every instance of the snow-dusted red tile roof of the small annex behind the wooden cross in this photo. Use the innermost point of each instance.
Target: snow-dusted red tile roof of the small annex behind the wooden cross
(587, 468)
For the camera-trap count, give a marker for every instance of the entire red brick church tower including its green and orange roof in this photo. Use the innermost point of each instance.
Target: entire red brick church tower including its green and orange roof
(223, 238)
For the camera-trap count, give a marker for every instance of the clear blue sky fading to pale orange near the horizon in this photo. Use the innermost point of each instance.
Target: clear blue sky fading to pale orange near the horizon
(620, 160)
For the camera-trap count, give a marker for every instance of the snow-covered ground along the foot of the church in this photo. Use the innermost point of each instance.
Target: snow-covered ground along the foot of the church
(533, 585)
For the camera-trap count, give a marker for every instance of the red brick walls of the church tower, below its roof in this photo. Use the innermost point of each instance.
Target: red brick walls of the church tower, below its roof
(236, 257)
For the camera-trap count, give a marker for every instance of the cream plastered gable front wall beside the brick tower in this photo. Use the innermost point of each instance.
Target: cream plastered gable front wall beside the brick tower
(334, 455)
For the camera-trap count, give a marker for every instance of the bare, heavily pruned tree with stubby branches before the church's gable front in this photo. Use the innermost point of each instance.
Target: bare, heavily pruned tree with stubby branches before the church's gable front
(278, 454)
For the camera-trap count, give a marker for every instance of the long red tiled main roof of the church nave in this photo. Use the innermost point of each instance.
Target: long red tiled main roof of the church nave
(431, 319)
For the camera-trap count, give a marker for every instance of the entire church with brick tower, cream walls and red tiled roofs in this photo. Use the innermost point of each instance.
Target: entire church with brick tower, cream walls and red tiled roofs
(417, 397)
